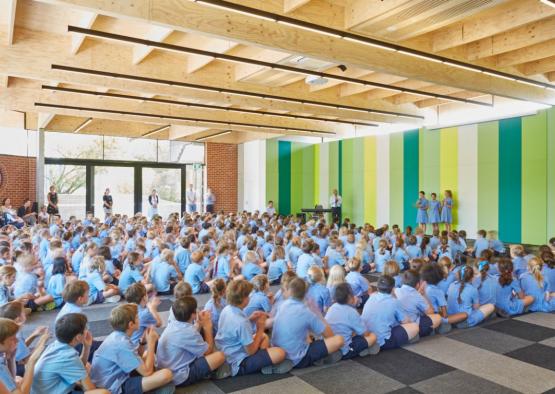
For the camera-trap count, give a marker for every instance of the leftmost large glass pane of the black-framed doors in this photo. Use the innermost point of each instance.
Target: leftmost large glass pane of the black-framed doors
(70, 185)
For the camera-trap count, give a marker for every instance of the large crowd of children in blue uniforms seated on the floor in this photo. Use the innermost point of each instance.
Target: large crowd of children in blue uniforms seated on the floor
(325, 309)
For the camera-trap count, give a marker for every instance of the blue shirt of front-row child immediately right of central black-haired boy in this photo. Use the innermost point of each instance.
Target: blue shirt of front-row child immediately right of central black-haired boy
(380, 314)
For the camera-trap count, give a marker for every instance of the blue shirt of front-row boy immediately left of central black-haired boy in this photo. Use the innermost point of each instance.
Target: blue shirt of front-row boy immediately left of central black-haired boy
(292, 324)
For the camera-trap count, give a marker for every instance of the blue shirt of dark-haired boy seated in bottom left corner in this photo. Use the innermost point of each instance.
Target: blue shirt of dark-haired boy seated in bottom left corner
(58, 369)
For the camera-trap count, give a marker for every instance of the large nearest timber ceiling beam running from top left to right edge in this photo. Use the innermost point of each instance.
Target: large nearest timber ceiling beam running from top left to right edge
(188, 16)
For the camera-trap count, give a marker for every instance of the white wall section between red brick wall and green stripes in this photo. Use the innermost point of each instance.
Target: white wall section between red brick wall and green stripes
(252, 175)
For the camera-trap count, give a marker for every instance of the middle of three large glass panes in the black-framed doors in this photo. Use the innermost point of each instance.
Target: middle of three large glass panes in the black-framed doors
(120, 182)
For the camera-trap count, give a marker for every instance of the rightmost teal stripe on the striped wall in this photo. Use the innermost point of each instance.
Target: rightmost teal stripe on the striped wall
(510, 180)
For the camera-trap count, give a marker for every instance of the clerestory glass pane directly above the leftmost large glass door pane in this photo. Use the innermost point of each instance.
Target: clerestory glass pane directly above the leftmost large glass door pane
(76, 146)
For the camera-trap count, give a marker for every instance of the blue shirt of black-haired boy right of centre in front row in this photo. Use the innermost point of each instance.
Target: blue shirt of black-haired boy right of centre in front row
(344, 320)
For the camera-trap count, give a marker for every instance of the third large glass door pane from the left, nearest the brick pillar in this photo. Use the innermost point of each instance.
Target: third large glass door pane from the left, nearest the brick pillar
(167, 183)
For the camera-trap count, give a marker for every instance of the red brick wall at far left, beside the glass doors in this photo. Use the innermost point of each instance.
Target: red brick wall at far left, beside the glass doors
(18, 175)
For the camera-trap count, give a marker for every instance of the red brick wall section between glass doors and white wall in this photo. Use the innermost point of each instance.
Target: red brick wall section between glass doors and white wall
(221, 173)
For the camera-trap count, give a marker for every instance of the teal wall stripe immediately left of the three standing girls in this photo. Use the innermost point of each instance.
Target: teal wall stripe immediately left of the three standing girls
(410, 176)
